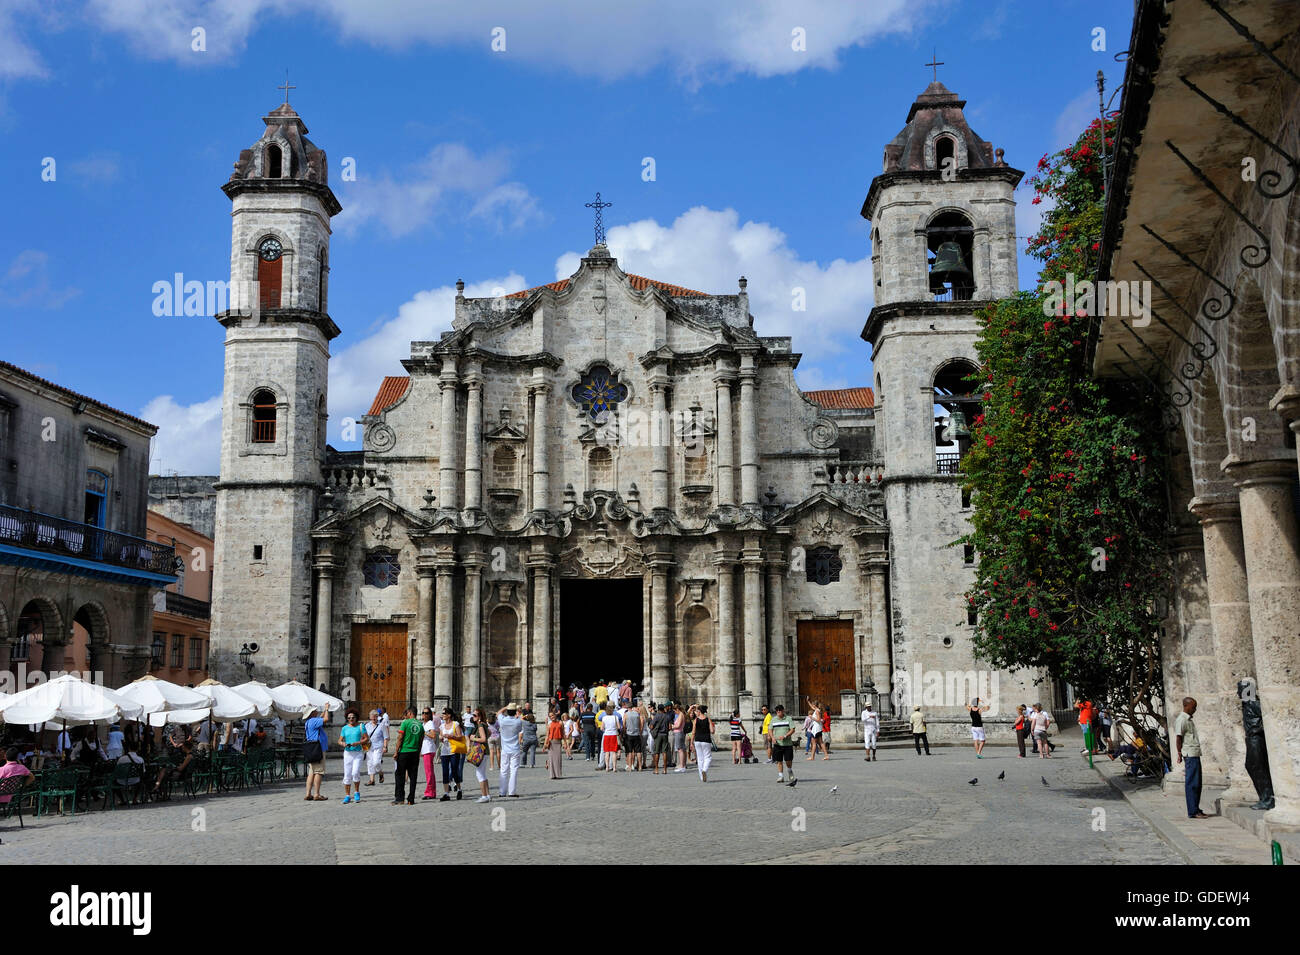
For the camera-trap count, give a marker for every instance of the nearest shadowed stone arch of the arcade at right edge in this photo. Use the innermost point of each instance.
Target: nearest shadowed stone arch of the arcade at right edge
(1253, 377)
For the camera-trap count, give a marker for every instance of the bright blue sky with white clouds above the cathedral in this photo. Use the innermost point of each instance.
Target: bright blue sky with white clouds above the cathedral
(475, 164)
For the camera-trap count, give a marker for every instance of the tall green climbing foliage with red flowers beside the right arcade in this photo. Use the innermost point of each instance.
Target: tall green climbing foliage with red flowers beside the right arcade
(1069, 484)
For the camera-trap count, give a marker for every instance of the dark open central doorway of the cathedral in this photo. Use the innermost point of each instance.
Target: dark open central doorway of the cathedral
(601, 632)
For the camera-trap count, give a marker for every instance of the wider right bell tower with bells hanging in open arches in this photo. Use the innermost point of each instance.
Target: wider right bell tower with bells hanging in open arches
(943, 242)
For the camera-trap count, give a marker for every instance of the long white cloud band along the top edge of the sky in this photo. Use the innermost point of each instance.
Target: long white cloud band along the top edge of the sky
(697, 41)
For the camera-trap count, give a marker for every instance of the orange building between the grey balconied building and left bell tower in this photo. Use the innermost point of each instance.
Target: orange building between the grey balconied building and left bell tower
(179, 648)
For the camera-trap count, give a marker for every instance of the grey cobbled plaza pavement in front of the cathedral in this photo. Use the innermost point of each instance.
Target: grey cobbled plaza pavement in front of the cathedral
(900, 810)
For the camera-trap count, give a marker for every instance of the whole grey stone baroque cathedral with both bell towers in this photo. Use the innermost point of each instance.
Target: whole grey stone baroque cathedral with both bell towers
(614, 477)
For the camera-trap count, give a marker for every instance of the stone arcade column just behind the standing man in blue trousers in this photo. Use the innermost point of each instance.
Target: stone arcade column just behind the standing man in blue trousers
(1201, 674)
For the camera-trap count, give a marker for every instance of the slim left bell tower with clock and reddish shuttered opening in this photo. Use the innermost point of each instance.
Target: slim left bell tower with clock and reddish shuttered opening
(274, 402)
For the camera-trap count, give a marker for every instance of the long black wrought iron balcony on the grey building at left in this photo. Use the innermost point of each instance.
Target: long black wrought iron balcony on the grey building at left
(60, 539)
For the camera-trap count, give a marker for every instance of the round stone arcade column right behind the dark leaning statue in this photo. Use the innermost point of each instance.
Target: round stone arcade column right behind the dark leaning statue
(1230, 615)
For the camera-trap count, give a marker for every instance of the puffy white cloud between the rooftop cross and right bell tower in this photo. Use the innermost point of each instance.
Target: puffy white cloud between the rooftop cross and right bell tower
(709, 250)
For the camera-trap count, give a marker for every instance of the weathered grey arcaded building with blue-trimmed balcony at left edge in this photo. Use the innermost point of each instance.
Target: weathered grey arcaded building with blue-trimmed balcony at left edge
(77, 571)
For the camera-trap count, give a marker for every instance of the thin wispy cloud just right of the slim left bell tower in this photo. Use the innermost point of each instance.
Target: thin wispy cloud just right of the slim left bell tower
(443, 184)
